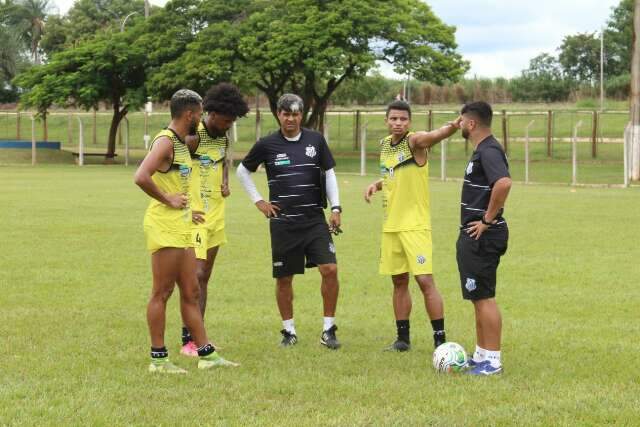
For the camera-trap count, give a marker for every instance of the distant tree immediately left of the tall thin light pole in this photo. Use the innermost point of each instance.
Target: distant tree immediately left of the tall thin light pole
(580, 57)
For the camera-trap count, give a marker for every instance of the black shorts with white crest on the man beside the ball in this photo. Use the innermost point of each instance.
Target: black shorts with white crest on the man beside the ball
(478, 262)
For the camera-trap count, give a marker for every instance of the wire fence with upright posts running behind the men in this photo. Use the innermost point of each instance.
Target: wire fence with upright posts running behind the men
(542, 146)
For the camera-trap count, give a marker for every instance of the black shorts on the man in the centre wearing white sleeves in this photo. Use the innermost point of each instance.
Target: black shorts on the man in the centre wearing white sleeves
(295, 246)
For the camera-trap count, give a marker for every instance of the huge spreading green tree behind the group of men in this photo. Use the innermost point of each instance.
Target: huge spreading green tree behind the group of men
(312, 46)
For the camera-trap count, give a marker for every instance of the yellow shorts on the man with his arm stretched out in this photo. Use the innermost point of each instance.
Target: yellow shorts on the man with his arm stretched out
(406, 251)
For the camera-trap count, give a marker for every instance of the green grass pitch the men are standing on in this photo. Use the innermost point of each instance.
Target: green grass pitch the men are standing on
(75, 280)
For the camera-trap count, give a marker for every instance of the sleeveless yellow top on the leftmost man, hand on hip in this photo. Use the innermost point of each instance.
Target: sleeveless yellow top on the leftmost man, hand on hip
(176, 179)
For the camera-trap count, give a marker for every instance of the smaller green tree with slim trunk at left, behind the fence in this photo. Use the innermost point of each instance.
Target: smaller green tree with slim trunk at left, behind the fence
(109, 68)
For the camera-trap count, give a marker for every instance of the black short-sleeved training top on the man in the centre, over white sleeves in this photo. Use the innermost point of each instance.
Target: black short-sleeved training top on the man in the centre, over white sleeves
(294, 173)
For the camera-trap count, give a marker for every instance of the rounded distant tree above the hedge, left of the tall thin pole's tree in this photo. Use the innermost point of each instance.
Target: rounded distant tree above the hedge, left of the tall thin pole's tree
(542, 81)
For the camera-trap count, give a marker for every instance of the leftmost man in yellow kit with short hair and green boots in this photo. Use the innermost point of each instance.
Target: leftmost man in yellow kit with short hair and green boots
(165, 175)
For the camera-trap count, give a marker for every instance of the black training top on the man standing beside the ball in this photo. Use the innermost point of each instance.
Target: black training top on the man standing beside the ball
(487, 165)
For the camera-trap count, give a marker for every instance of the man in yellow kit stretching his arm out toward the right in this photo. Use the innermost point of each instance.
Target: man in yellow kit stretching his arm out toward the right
(406, 234)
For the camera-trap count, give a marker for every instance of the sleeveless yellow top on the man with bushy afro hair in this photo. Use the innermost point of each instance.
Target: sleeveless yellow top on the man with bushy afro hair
(208, 161)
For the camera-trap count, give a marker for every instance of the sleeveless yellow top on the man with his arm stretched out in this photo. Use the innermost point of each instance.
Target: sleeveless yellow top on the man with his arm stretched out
(405, 187)
